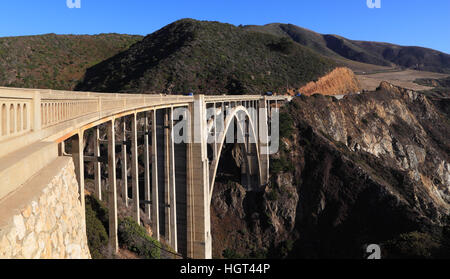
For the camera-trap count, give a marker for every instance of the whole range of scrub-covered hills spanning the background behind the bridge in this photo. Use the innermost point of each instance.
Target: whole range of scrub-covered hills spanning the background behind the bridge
(200, 56)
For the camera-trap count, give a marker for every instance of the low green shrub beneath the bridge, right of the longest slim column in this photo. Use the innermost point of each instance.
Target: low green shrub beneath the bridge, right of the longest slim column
(135, 238)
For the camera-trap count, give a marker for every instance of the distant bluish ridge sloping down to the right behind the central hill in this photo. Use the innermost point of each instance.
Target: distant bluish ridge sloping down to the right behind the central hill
(342, 50)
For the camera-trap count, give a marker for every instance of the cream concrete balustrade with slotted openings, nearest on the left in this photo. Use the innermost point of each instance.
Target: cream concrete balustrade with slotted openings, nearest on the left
(27, 110)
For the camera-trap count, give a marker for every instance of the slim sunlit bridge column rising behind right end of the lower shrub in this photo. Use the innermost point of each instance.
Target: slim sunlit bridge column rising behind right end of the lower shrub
(155, 192)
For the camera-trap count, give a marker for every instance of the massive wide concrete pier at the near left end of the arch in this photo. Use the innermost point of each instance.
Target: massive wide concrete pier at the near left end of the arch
(198, 194)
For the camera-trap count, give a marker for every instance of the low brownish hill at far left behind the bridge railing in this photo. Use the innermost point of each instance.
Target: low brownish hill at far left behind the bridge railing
(55, 61)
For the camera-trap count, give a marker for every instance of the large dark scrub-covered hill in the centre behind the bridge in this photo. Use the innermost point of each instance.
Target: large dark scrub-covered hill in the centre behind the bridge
(210, 58)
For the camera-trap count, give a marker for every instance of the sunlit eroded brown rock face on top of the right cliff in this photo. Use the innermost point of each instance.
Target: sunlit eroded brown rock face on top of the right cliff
(393, 124)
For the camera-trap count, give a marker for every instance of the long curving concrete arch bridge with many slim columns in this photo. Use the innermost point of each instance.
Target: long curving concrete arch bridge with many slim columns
(182, 138)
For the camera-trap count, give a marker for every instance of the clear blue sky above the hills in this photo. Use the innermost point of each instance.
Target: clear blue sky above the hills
(405, 22)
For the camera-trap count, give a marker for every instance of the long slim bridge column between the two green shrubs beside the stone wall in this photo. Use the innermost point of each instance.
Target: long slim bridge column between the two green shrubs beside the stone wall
(112, 190)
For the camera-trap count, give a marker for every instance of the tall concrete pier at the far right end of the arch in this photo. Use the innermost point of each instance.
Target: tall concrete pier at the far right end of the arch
(263, 140)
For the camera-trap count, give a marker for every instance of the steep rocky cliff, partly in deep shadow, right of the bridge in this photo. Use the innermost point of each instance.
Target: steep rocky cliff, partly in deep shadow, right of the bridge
(370, 168)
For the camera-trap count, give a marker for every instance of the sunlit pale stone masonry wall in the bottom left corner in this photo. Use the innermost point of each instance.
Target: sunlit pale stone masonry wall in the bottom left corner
(45, 219)
